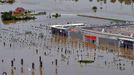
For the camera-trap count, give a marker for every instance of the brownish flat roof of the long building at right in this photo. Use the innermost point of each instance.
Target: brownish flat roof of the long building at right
(126, 30)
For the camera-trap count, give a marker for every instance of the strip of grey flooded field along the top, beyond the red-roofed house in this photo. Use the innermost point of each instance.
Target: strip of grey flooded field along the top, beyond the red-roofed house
(74, 6)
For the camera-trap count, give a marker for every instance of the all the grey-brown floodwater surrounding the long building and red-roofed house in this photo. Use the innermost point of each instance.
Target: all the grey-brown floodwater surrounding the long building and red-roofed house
(28, 40)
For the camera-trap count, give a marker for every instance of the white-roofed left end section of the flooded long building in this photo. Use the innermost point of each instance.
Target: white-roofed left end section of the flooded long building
(67, 29)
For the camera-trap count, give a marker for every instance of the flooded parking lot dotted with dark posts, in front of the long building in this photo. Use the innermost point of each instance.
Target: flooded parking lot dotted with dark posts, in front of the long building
(59, 55)
